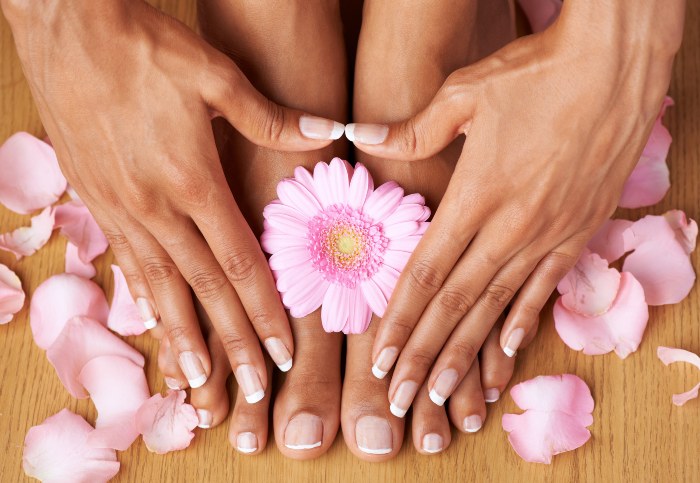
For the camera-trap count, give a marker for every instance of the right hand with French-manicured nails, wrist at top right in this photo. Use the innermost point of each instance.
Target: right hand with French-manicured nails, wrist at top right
(554, 124)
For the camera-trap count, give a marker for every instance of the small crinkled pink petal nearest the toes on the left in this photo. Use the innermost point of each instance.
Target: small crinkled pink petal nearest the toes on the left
(166, 422)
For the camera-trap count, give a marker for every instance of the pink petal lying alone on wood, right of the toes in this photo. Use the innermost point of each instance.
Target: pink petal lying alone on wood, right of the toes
(558, 409)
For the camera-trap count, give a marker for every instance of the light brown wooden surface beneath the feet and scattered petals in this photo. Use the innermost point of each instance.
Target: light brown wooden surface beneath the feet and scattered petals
(638, 435)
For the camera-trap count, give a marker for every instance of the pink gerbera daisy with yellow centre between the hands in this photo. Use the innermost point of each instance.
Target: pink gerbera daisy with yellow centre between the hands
(338, 242)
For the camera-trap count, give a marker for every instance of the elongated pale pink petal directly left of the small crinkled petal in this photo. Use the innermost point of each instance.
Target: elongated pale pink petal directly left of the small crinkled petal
(118, 388)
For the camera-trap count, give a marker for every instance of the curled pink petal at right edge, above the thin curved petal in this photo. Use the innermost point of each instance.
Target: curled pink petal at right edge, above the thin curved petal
(660, 260)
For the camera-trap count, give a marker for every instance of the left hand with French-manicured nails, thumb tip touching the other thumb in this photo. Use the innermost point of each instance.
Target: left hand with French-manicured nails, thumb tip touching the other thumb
(127, 95)
